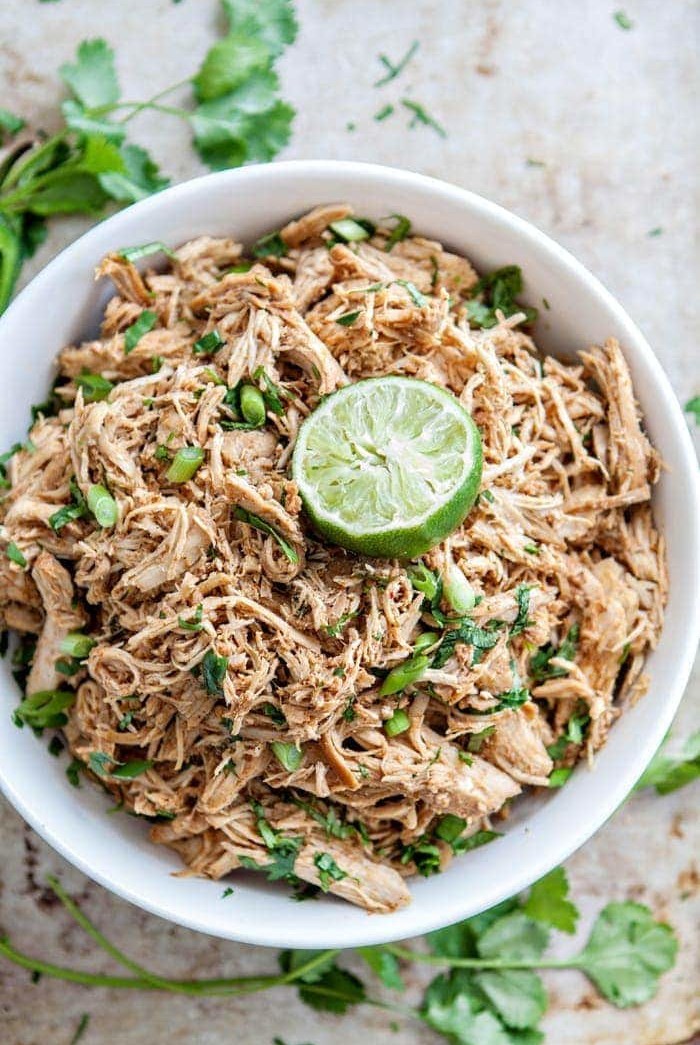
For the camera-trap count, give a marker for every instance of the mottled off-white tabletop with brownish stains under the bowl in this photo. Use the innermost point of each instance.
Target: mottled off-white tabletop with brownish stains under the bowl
(612, 119)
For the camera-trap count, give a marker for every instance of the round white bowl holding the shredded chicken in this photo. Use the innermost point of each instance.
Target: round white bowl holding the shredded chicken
(64, 305)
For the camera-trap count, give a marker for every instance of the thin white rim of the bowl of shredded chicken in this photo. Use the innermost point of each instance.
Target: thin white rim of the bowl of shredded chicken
(421, 919)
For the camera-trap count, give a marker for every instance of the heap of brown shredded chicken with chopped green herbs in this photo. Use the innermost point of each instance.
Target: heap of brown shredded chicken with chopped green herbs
(238, 660)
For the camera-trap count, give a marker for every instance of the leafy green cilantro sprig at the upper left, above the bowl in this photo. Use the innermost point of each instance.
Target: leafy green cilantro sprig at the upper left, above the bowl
(237, 118)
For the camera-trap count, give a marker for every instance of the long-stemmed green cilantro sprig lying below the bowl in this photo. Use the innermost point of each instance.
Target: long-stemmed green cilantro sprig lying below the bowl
(491, 990)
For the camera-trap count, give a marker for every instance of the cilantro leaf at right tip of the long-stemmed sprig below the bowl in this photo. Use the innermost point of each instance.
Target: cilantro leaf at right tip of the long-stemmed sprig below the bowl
(627, 953)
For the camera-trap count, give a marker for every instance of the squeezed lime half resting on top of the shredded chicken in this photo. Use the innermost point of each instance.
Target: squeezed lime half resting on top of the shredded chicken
(388, 467)
